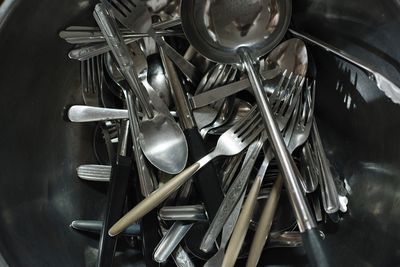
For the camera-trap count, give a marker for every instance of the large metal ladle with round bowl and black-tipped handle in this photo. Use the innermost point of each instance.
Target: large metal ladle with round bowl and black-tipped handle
(229, 32)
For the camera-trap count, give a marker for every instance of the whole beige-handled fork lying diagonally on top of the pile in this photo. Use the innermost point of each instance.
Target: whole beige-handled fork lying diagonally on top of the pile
(233, 141)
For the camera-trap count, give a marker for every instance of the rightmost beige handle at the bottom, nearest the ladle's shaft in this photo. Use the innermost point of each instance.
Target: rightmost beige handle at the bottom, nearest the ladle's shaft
(264, 224)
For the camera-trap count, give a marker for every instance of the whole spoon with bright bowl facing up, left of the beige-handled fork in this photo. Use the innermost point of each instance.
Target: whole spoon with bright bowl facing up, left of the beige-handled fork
(161, 139)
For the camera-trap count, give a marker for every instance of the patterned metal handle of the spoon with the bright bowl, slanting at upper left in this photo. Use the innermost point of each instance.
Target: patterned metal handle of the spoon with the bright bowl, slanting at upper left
(121, 53)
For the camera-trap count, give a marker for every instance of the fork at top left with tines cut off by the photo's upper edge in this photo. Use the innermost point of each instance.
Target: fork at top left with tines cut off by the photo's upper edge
(134, 15)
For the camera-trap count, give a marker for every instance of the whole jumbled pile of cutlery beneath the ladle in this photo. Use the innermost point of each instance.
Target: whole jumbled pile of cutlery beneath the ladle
(195, 171)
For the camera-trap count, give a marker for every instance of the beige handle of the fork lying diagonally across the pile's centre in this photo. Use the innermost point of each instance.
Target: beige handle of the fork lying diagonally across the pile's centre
(153, 200)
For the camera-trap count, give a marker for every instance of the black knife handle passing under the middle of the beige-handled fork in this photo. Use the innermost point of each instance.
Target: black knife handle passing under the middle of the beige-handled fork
(206, 179)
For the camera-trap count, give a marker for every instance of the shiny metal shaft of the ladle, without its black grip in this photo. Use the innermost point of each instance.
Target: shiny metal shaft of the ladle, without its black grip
(299, 204)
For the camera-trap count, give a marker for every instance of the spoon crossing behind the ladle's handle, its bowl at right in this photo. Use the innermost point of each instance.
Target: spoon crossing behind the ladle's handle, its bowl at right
(289, 56)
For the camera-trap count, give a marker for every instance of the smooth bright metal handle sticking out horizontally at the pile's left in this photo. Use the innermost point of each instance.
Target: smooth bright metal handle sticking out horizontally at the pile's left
(80, 113)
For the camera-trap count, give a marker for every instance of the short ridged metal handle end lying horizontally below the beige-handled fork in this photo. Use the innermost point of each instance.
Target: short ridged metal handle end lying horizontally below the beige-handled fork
(183, 213)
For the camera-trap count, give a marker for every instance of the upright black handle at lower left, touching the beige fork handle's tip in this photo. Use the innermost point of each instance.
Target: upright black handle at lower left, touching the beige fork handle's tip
(116, 195)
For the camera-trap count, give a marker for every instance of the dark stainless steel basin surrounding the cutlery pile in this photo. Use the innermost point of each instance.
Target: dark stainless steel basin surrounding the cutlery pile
(40, 193)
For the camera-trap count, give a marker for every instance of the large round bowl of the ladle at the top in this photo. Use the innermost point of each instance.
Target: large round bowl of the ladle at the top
(218, 29)
